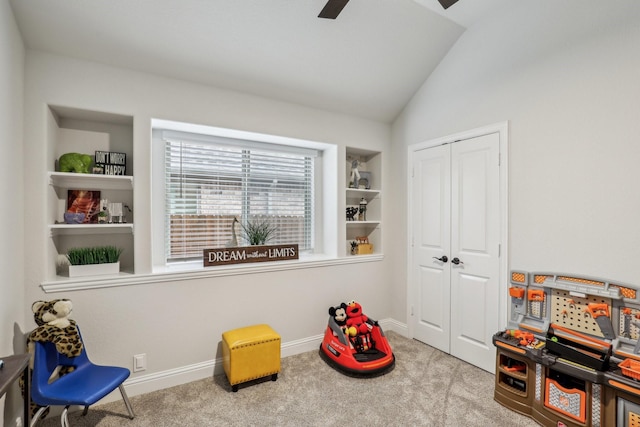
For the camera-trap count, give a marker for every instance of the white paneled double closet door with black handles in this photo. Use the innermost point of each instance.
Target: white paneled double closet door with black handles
(455, 247)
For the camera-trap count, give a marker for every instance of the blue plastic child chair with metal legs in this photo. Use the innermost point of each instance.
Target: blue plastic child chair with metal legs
(87, 384)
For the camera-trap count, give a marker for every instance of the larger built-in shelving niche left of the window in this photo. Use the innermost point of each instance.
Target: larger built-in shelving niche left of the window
(81, 131)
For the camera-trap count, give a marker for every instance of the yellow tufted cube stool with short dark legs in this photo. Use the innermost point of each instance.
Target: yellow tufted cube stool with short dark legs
(250, 353)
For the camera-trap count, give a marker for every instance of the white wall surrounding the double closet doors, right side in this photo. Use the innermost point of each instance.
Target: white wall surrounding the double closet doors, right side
(565, 76)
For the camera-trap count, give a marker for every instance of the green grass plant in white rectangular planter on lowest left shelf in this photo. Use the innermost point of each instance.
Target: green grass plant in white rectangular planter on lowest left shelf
(93, 261)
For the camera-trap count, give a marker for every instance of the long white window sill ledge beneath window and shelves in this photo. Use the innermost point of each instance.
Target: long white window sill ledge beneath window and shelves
(195, 271)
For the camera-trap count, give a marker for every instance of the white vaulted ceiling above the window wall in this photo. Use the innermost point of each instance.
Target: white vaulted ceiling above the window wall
(368, 62)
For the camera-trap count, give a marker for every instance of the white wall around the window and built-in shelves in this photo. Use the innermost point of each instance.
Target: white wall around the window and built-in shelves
(179, 323)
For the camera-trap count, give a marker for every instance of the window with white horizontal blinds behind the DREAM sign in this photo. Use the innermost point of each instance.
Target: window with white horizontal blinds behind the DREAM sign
(209, 181)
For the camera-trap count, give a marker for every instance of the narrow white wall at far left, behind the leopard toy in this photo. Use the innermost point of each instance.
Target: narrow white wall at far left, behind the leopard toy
(11, 212)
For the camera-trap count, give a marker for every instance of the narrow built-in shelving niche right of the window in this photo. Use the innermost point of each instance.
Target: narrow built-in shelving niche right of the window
(369, 190)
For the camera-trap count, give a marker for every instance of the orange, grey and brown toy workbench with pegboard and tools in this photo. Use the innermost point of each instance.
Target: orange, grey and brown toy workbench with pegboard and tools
(571, 353)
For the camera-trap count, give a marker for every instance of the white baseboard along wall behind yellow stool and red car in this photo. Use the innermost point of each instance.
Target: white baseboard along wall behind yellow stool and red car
(207, 369)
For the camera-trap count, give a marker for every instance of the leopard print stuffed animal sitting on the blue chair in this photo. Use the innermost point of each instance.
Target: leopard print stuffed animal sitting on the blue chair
(54, 325)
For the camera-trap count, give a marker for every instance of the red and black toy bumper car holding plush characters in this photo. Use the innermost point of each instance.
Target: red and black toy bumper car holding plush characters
(353, 352)
